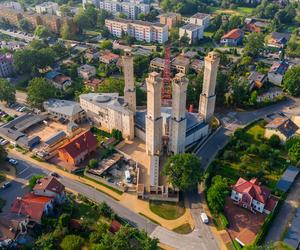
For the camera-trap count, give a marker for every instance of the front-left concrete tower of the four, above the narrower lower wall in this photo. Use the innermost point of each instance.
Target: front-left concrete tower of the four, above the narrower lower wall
(153, 118)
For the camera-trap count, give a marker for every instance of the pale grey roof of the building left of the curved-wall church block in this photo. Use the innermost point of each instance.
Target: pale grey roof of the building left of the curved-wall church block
(64, 107)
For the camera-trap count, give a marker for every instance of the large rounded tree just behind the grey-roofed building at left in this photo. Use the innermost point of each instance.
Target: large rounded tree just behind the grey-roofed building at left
(39, 90)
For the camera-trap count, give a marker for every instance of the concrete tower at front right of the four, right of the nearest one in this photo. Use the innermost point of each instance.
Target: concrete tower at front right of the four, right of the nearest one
(178, 119)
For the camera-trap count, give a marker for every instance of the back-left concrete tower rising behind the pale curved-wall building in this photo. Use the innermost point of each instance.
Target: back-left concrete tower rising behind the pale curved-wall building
(129, 89)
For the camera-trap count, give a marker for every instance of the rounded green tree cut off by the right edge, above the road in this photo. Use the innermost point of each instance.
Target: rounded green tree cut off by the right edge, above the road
(291, 81)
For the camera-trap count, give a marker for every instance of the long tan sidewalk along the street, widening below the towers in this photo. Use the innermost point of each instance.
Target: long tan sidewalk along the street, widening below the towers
(128, 200)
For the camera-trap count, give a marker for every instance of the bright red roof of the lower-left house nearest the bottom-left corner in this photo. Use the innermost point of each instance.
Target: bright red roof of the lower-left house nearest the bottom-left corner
(30, 205)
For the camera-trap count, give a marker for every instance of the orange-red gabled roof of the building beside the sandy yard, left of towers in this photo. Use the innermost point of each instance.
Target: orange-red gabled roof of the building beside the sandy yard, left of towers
(84, 141)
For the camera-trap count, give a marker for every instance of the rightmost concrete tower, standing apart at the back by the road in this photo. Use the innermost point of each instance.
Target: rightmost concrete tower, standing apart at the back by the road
(208, 97)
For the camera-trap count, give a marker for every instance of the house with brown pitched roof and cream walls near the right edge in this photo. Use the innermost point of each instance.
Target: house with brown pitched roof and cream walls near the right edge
(284, 127)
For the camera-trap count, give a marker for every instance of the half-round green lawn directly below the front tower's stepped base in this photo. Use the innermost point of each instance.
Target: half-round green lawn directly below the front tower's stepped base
(167, 210)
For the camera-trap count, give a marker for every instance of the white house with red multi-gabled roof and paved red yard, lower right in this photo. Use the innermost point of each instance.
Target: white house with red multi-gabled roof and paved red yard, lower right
(251, 195)
